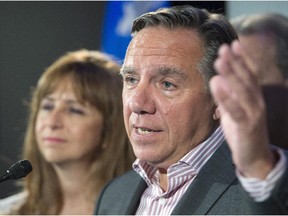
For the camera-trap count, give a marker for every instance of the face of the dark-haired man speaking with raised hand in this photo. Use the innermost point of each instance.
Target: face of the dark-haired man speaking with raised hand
(167, 110)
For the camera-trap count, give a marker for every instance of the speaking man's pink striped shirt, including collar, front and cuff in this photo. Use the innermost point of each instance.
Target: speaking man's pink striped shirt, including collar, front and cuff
(180, 175)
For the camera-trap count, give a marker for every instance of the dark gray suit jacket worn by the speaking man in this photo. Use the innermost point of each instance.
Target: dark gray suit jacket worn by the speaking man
(215, 190)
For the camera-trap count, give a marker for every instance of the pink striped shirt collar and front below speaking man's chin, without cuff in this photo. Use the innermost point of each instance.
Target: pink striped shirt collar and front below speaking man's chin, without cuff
(154, 200)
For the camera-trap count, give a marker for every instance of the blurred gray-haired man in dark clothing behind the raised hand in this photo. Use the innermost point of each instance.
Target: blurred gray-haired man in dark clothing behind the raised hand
(265, 38)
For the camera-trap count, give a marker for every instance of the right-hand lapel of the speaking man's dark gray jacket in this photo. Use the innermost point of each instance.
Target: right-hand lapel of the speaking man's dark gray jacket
(213, 179)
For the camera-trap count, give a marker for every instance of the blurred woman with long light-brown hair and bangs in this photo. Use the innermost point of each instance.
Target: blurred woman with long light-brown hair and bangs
(75, 139)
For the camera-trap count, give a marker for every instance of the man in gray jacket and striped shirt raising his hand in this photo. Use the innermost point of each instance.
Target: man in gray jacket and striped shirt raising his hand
(184, 165)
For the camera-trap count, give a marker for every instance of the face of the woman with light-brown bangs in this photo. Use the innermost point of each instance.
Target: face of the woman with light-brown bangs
(67, 131)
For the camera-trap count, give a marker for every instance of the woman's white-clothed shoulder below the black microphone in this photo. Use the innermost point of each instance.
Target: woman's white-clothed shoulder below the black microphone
(12, 202)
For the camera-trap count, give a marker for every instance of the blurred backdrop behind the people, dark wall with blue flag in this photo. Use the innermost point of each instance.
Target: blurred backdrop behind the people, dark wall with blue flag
(33, 34)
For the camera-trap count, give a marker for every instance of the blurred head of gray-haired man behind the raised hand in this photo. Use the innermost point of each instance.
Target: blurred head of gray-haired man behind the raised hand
(265, 36)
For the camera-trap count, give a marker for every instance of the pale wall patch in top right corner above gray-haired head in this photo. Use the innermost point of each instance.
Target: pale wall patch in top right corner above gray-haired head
(237, 8)
